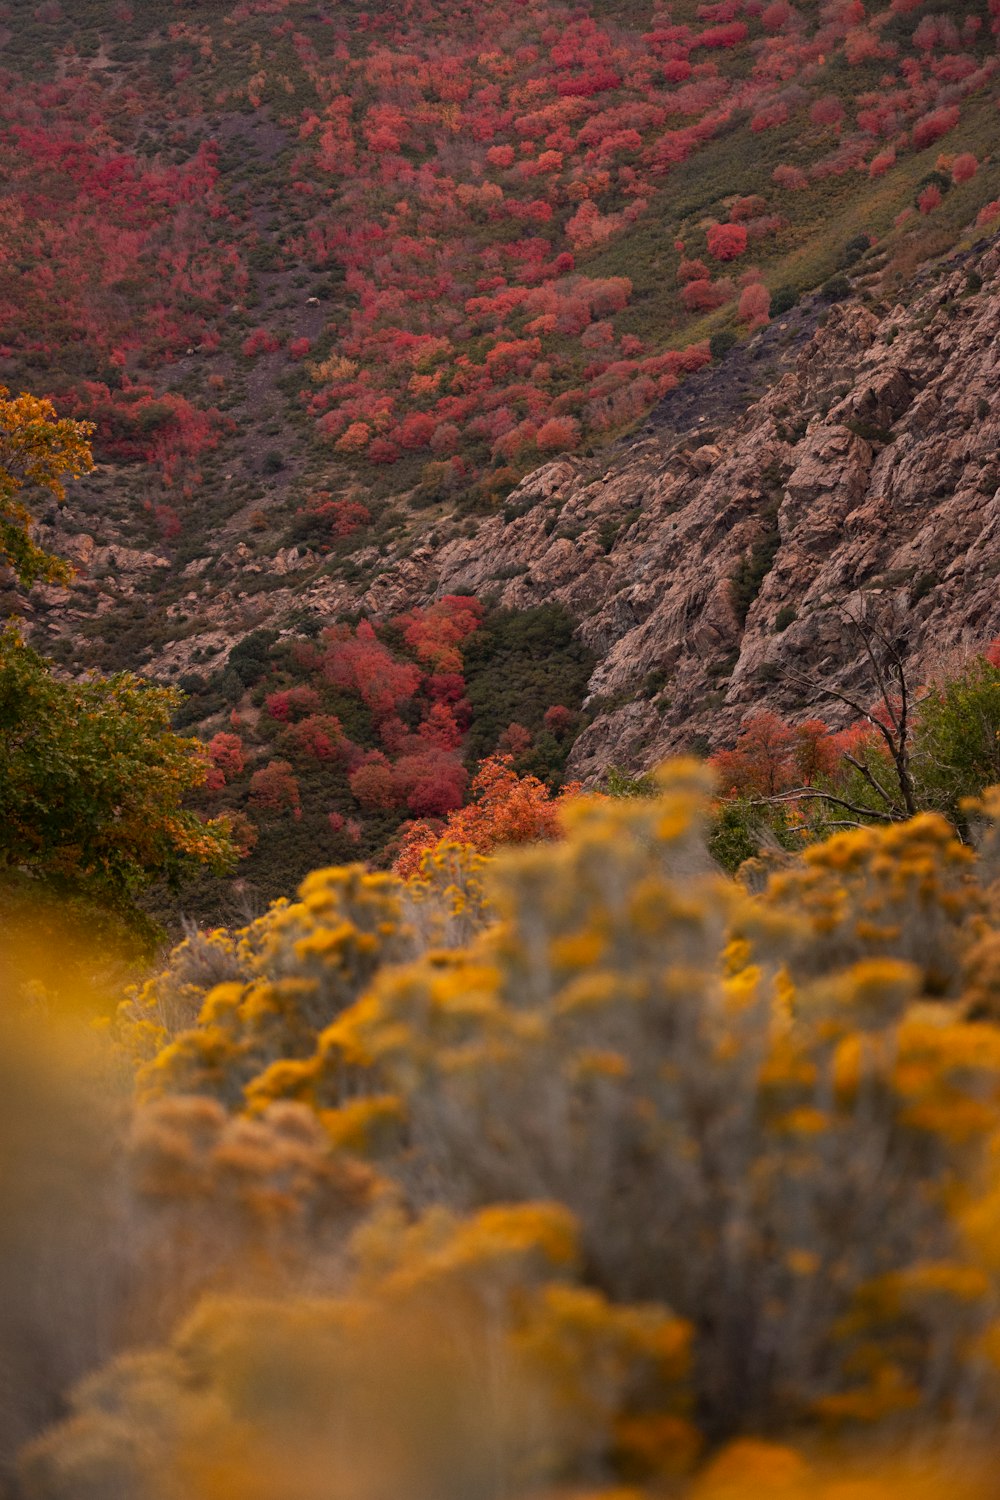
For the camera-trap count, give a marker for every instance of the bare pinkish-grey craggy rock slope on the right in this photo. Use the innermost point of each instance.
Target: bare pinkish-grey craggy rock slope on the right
(869, 467)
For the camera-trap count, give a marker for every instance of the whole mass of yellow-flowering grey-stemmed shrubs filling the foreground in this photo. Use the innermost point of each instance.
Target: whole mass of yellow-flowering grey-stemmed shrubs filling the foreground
(581, 1174)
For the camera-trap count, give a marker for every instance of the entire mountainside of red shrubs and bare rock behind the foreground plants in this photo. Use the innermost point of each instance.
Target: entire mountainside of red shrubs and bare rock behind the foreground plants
(368, 304)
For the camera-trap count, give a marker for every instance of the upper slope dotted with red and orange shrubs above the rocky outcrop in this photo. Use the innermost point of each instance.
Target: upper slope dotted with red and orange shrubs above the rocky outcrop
(440, 244)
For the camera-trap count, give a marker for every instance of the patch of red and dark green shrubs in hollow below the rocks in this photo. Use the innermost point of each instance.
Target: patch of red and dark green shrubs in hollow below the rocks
(334, 743)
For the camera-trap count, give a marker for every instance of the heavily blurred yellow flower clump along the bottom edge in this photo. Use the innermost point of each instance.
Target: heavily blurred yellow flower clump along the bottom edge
(463, 1360)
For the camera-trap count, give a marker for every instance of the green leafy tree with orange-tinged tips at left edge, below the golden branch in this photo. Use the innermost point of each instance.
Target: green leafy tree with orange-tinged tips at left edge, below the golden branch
(94, 782)
